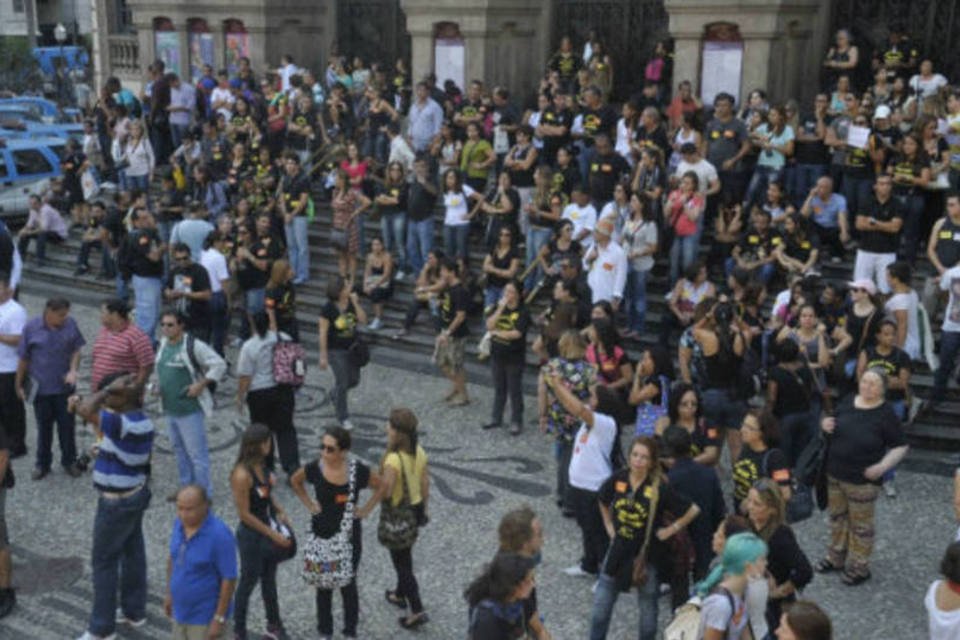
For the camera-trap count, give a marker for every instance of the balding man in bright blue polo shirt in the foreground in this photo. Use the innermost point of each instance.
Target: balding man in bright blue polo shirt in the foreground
(201, 569)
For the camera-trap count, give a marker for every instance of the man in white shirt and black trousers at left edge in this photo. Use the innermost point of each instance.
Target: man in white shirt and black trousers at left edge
(13, 418)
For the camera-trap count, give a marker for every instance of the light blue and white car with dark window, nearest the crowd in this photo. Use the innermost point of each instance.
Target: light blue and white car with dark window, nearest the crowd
(26, 168)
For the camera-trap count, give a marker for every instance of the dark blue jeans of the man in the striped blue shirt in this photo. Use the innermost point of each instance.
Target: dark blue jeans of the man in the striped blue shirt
(119, 559)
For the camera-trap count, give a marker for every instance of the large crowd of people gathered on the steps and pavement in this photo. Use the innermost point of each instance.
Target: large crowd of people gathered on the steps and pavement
(758, 360)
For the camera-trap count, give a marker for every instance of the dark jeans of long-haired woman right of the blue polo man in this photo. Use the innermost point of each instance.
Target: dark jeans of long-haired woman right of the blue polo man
(257, 564)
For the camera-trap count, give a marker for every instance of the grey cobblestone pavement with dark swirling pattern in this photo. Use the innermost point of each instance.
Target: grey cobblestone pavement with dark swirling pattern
(476, 476)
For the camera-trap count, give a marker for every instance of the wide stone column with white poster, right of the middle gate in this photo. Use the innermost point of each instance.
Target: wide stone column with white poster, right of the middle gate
(781, 42)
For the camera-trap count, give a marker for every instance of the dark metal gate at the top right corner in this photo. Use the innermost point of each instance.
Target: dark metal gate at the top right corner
(933, 25)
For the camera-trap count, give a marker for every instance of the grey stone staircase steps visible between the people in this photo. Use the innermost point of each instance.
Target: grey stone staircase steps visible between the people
(936, 435)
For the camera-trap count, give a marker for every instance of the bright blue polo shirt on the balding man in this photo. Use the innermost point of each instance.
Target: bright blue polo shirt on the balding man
(200, 564)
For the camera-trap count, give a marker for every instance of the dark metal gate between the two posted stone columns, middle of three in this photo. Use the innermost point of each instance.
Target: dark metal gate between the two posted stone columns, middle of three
(629, 29)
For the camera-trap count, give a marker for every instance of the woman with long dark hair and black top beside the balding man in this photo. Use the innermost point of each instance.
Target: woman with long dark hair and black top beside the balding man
(257, 534)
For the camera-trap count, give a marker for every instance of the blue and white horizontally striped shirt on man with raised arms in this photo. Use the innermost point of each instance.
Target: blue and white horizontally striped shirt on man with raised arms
(124, 459)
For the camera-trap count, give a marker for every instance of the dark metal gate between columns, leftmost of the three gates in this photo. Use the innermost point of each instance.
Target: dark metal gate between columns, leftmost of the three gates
(375, 30)
